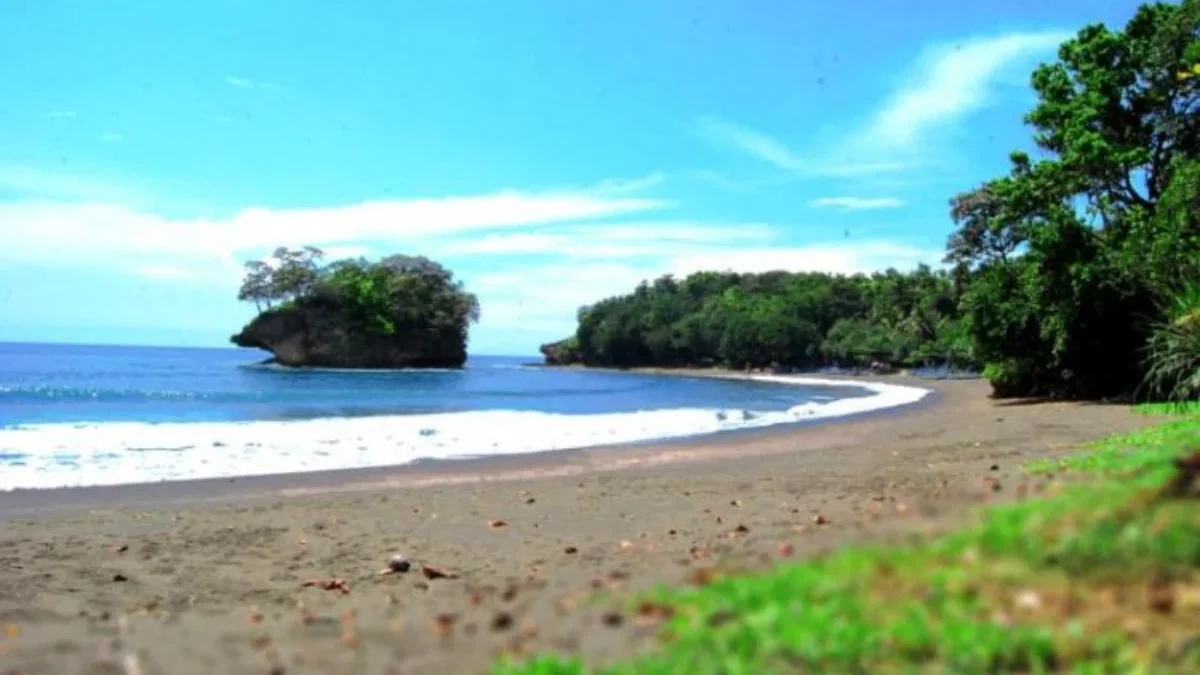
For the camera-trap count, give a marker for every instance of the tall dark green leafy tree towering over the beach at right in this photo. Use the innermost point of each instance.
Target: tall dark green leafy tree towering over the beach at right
(1071, 254)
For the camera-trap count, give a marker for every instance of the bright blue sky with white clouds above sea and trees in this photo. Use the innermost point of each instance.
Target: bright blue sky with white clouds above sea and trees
(551, 154)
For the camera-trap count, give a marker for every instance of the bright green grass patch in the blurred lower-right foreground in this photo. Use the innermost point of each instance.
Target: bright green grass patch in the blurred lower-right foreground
(1078, 581)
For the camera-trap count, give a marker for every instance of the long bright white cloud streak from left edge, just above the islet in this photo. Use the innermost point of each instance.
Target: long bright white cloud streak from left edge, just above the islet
(95, 234)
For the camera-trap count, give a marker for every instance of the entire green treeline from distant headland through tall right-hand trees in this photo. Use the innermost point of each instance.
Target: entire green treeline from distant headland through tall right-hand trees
(1076, 274)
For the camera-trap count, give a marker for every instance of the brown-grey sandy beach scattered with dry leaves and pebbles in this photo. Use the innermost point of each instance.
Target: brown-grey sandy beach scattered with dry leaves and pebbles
(207, 577)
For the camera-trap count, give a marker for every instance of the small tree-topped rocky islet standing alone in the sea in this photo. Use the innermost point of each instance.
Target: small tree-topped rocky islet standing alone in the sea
(401, 312)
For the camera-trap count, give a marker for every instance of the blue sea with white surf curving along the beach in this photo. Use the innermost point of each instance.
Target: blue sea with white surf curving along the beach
(74, 415)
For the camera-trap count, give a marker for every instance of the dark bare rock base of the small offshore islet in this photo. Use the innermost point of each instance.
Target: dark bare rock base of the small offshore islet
(321, 334)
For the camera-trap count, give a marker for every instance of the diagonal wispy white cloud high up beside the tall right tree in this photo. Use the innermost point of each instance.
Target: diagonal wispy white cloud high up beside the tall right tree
(951, 81)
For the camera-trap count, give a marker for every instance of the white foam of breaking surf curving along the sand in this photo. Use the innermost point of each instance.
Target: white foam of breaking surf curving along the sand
(53, 456)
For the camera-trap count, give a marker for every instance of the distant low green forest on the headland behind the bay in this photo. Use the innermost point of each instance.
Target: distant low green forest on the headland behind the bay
(775, 319)
